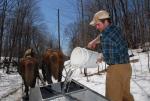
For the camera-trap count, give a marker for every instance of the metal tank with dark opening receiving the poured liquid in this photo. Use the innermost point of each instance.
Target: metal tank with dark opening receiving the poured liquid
(75, 92)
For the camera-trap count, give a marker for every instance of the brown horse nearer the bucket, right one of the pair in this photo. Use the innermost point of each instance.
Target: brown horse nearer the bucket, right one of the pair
(52, 65)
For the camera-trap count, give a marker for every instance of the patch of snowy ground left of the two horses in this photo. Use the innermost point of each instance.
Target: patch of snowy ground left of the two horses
(8, 85)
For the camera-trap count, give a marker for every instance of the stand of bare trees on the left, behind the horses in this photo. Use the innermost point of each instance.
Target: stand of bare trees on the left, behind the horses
(21, 27)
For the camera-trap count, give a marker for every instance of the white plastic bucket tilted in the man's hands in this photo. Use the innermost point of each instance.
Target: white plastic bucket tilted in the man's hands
(84, 58)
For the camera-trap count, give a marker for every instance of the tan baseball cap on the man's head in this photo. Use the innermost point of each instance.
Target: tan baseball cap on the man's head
(102, 14)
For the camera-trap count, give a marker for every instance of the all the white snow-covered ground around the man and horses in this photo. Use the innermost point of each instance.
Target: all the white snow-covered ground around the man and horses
(140, 82)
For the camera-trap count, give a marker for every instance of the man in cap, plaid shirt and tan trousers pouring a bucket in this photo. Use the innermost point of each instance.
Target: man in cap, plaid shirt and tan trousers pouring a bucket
(115, 54)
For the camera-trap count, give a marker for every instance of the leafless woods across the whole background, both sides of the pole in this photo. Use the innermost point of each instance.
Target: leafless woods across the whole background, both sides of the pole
(22, 27)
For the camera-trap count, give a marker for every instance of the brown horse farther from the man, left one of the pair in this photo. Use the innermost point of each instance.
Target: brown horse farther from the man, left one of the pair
(28, 72)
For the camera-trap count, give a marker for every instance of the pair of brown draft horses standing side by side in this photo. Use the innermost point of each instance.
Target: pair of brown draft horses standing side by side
(51, 64)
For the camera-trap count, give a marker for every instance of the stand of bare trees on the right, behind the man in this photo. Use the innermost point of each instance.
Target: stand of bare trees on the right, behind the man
(131, 15)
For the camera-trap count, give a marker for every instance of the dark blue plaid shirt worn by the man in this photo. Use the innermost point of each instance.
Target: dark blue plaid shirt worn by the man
(114, 47)
